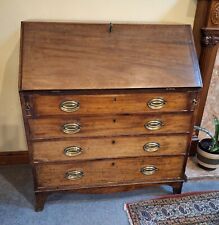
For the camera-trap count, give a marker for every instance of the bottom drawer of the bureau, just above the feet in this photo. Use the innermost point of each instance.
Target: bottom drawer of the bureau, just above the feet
(106, 172)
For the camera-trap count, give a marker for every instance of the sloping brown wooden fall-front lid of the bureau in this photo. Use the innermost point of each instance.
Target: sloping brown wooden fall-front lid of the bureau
(62, 56)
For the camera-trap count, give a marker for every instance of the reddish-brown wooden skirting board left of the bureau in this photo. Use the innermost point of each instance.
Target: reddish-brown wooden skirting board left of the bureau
(13, 158)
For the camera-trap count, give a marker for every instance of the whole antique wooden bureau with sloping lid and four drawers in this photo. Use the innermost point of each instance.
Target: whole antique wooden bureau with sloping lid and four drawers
(107, 107)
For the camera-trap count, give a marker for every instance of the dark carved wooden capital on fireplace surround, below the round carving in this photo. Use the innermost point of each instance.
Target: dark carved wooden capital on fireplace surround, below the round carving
(209, 37)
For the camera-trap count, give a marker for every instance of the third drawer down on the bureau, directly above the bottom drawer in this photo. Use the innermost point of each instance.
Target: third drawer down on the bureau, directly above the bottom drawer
(96, 148)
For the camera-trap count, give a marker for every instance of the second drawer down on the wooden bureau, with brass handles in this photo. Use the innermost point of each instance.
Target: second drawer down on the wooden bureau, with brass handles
(109, 126)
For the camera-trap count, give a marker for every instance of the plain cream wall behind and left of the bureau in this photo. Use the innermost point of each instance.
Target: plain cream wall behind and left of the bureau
(13, 11)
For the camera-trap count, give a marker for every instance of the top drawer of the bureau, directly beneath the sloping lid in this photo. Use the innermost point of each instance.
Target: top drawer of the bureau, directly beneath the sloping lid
(110, 104)
